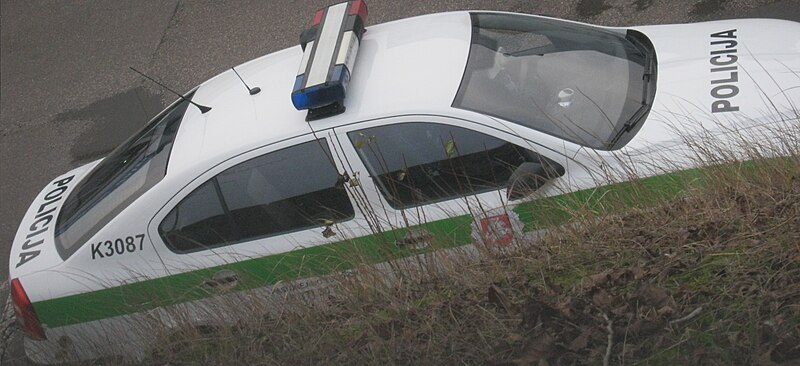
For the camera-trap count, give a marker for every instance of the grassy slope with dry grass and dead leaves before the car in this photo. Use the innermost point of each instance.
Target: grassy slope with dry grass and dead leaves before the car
(710, 278)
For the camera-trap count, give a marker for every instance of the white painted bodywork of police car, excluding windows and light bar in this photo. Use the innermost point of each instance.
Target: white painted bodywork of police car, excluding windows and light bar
(406, 71)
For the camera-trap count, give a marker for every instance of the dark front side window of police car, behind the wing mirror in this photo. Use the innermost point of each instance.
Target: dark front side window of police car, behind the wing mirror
(418, 163)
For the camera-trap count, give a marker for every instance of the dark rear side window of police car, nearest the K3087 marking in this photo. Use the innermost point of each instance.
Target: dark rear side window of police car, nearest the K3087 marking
(280, 192)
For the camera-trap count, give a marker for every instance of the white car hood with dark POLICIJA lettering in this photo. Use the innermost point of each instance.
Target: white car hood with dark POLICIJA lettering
(721, 77)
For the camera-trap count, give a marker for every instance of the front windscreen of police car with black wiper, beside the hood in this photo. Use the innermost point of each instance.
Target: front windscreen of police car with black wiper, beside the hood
(580, 83)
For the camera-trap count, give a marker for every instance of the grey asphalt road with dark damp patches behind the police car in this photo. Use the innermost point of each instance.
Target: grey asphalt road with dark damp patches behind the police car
(67, 95)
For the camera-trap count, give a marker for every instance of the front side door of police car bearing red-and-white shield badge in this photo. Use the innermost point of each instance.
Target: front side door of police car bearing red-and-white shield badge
(434, 181)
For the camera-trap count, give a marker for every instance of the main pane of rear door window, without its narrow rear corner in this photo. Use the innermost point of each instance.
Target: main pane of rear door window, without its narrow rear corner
(284, 191)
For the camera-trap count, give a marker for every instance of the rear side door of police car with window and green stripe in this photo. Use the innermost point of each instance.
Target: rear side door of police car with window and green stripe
(271, 216)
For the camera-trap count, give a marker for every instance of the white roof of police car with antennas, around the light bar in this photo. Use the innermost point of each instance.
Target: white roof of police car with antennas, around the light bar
(409, 66)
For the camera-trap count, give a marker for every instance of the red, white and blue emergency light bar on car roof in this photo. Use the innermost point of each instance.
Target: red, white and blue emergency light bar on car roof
(329, 52)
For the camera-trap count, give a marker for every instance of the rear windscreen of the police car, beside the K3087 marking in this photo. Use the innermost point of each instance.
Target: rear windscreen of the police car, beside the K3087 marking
(124, 175)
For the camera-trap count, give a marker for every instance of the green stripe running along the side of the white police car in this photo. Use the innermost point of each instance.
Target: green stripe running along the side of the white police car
(346, 254)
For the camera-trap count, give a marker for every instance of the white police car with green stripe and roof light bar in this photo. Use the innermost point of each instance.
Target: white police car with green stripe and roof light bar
(386, 140)
